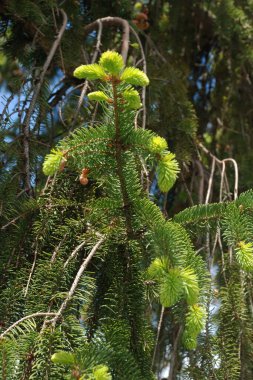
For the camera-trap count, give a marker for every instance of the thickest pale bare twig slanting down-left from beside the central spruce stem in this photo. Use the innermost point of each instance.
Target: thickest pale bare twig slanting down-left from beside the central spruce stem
(76, 281)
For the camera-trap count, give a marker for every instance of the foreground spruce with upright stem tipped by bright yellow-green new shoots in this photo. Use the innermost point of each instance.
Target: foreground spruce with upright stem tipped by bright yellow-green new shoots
(120, 222)
